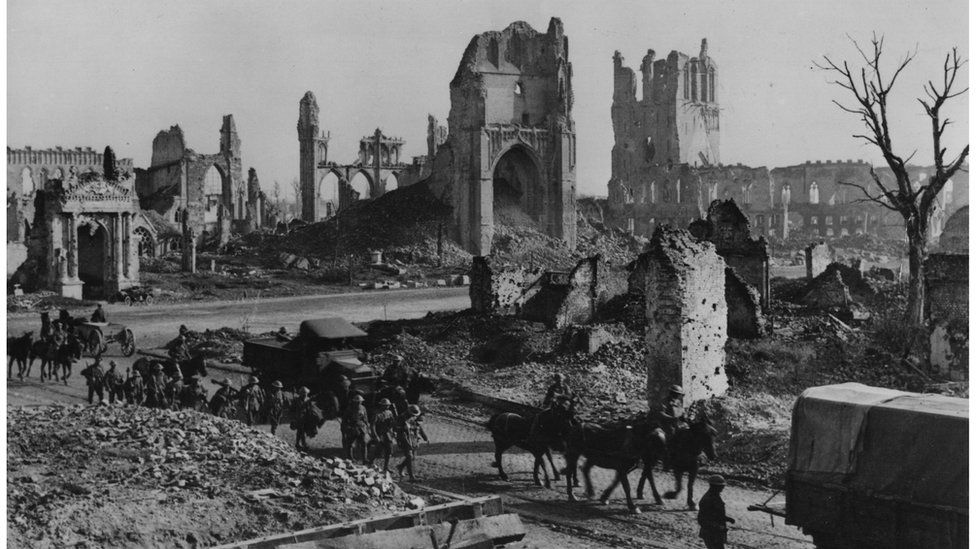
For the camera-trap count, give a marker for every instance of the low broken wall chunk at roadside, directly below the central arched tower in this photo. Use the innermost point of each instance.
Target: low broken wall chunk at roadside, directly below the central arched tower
(499, 288)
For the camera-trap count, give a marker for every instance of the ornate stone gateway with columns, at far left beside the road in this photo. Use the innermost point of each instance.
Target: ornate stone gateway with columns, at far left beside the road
(87, 246)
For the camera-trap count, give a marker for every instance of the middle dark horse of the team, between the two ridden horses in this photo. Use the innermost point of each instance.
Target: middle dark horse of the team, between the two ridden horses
(617, 447)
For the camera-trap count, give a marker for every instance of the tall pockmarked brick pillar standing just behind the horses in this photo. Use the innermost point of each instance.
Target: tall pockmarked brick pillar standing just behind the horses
(686, 316)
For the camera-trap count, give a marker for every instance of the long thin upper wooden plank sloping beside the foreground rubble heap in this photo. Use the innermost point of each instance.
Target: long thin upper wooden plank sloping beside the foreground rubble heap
(460, 510)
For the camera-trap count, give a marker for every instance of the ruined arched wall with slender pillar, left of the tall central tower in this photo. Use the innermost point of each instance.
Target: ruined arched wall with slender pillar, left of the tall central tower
(380, 165)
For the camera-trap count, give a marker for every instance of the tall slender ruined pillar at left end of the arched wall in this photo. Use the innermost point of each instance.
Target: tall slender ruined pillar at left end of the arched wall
(313, 151)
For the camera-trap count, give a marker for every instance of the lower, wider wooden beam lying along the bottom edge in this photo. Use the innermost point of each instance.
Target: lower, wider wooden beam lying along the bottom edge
(474, 533)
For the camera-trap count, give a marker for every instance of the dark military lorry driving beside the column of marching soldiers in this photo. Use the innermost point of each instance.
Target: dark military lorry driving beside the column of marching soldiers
(323, 350)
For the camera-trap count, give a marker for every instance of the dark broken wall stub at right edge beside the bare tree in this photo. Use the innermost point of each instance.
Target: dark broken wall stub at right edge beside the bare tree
(947, 310)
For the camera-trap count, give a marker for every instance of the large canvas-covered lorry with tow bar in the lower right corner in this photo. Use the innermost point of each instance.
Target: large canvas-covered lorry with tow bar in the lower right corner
(877, 468)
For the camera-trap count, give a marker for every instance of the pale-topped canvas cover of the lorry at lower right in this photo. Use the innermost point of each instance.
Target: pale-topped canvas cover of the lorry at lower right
(885, 443)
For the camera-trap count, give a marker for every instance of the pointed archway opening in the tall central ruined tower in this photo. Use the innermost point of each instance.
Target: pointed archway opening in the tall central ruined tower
(517, 190)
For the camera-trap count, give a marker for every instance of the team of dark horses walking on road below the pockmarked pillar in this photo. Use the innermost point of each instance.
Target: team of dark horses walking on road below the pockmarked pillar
(621, 447)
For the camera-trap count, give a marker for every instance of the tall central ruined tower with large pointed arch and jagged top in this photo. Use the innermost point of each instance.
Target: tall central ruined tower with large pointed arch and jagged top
(511, 142)
